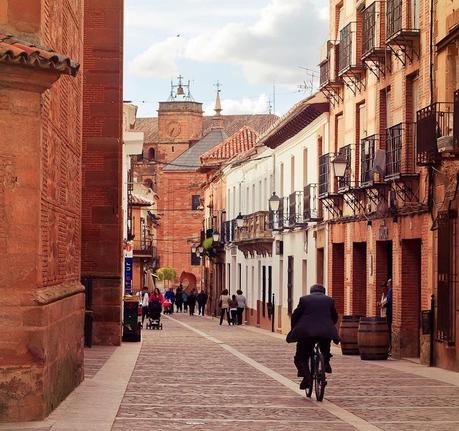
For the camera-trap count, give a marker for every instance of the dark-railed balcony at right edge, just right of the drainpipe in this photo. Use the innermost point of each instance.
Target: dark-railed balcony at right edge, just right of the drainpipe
(435, 133)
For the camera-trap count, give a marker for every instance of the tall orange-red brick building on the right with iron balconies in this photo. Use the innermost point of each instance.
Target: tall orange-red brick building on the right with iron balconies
(391, 98)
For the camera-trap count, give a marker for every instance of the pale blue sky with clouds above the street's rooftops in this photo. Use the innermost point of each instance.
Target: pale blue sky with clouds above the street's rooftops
(255, 48)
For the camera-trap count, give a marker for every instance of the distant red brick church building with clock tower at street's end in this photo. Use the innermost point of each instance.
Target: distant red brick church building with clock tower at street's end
(174, 143)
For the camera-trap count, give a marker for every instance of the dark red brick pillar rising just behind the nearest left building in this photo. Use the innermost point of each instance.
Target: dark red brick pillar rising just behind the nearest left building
(102, 156)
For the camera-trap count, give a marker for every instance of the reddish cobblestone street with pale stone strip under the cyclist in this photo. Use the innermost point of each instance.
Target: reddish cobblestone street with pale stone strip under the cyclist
(197, 375)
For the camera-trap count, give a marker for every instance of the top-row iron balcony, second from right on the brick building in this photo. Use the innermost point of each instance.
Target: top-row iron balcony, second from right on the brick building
(373, 50)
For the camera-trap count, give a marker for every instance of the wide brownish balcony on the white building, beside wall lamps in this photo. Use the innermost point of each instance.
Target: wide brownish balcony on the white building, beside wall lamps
(255, 237)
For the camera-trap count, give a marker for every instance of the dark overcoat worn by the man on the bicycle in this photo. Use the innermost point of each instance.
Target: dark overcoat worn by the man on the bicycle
(315, 316)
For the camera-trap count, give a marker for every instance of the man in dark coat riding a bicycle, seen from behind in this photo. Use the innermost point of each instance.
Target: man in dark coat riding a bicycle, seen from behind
(313, 321)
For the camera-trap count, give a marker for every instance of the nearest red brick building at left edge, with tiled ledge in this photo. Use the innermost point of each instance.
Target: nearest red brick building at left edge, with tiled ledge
(41, 298)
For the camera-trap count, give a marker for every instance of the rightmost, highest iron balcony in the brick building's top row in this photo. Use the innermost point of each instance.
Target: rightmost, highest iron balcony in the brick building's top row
(402, 28)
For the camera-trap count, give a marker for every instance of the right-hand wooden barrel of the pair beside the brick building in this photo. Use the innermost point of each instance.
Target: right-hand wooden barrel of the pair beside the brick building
(373, 338)
